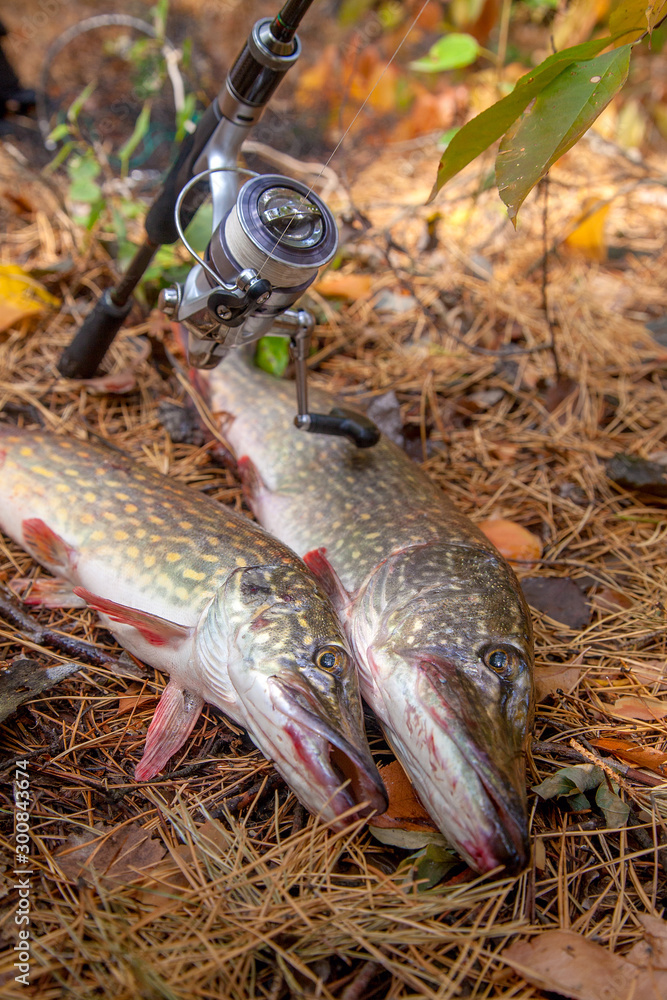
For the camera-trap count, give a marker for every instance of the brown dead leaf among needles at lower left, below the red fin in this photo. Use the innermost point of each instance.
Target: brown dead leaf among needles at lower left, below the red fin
(113, 857)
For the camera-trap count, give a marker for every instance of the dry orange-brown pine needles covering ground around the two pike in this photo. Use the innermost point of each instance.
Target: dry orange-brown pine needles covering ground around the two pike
(250, 899)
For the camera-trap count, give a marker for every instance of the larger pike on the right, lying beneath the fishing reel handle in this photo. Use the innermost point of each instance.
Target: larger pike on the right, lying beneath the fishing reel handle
(438, 625)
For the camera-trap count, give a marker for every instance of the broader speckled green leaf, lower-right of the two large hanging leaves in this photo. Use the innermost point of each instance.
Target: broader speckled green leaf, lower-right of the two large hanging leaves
(560, 115)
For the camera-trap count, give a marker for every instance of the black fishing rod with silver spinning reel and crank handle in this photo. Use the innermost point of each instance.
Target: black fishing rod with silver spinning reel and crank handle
(269, 239)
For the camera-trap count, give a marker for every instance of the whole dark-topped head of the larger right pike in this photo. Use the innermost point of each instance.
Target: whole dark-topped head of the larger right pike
(456, 661)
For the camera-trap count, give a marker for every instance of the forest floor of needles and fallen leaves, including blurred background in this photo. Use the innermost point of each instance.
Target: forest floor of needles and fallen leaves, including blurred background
(516, 379)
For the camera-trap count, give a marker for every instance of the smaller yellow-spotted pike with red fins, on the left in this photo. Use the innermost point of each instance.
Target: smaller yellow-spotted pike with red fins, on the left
(201, 592)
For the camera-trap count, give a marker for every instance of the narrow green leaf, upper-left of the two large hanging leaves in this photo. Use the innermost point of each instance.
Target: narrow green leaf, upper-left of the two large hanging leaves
(478, 134)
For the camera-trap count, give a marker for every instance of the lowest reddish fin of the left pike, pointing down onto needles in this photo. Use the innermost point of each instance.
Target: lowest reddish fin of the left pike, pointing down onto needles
(174, 720)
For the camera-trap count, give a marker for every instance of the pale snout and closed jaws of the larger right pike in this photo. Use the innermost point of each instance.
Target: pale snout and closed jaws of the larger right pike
(465, 762)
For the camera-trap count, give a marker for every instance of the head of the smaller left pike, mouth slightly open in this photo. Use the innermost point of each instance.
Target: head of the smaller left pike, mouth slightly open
(294, 675)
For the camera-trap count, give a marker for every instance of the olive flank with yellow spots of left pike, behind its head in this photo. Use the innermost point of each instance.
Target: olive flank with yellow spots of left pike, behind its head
(175, 543)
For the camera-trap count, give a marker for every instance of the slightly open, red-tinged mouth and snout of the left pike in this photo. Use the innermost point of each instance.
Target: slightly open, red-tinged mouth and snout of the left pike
(335, 776)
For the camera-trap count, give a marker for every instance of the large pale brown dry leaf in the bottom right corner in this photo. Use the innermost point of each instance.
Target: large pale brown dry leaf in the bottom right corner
(573, 966)
